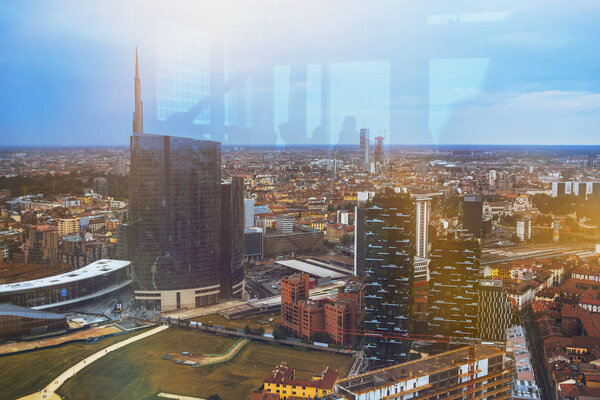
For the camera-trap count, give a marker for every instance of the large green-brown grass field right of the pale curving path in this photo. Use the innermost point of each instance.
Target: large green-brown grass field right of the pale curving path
(137, 371)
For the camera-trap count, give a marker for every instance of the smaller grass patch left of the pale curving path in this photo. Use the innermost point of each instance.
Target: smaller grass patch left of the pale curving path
(26, 373)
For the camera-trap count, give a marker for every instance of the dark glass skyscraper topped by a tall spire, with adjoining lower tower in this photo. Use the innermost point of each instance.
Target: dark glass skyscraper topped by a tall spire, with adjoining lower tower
(176, 217)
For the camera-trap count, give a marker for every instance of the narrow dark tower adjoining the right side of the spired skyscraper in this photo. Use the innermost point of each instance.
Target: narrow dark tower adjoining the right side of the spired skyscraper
(232, 238)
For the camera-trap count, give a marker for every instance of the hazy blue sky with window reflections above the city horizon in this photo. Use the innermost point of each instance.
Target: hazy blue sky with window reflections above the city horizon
(501, 72)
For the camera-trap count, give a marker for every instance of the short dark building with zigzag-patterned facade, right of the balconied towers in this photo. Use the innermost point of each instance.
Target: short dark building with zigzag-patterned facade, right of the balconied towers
(495, 310)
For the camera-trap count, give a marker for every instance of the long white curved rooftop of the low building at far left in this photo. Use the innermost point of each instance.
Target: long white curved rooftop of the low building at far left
(97, 268)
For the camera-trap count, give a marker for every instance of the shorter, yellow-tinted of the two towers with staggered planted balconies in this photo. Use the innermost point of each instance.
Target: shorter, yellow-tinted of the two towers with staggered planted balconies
(453, 287)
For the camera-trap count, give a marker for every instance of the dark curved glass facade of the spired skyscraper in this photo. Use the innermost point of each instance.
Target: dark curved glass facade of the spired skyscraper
(174, 212)
